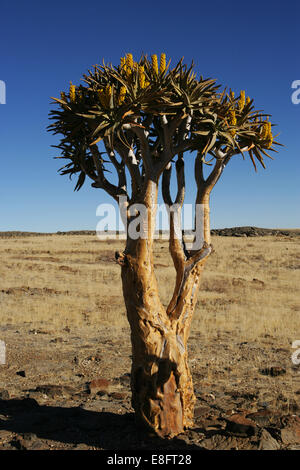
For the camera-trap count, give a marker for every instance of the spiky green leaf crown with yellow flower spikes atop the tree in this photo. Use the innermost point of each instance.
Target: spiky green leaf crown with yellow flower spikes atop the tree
(147, 112)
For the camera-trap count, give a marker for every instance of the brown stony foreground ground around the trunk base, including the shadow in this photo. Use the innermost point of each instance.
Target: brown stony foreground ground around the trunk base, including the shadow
(70, 389)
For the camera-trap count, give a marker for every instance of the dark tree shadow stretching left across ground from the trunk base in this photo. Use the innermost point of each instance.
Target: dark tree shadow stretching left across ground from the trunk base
(74, 426)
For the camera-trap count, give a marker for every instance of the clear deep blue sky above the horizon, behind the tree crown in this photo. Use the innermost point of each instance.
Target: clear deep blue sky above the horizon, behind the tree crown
(251, 45)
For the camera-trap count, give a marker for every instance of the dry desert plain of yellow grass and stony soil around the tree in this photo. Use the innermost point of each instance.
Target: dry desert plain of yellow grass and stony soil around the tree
(65, 383)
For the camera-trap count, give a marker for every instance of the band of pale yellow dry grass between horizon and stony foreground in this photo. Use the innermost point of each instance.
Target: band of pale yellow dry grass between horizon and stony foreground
(250, 286)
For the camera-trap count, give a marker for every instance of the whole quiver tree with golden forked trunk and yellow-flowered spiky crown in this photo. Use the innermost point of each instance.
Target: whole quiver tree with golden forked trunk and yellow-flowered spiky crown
(141, 119)
